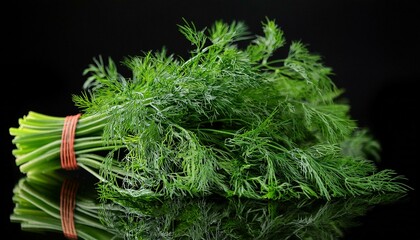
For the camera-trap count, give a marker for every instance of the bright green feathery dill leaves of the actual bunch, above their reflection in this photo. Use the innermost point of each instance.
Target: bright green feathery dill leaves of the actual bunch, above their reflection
(228, 120)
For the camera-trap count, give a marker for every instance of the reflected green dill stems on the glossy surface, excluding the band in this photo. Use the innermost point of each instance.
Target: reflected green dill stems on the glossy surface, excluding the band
(37, 205)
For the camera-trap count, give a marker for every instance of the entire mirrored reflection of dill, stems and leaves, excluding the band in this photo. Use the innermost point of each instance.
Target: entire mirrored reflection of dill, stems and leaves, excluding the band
(37, 209)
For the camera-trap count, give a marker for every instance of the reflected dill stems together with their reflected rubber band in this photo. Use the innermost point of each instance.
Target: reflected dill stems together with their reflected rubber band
(41, 207)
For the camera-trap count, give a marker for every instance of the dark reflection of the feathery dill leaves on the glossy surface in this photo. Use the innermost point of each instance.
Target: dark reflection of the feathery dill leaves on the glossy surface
(217, 218)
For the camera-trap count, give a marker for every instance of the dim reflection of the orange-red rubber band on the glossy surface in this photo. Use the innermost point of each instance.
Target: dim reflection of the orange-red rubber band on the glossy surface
(67, 205)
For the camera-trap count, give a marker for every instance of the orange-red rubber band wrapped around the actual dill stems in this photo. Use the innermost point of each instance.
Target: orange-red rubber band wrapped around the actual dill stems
(67, 155)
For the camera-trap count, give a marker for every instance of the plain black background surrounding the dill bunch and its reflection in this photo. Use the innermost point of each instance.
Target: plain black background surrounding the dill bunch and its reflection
(372, 46)
